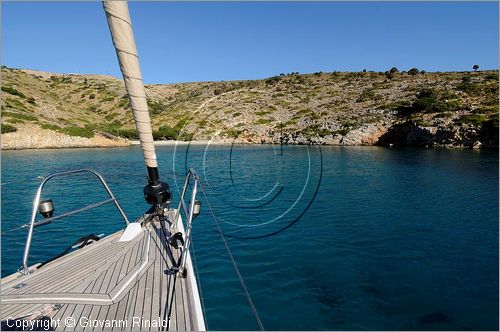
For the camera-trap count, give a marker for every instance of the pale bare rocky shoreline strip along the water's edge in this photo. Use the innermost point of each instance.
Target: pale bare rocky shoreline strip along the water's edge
(381, 134)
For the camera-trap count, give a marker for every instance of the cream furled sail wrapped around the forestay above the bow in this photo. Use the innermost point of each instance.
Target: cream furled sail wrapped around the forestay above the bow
(123, 38)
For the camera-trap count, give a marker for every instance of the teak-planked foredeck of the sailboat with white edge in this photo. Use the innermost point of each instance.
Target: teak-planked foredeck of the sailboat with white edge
(126, 284)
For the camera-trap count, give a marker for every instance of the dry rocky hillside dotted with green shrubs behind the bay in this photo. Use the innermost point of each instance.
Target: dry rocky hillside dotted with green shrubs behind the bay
(456, 109)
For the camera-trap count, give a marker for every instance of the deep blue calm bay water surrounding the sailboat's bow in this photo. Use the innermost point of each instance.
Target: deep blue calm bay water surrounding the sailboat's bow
(392, 239)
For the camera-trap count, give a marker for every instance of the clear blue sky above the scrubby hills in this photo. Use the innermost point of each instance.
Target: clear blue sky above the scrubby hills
(185, 42)
